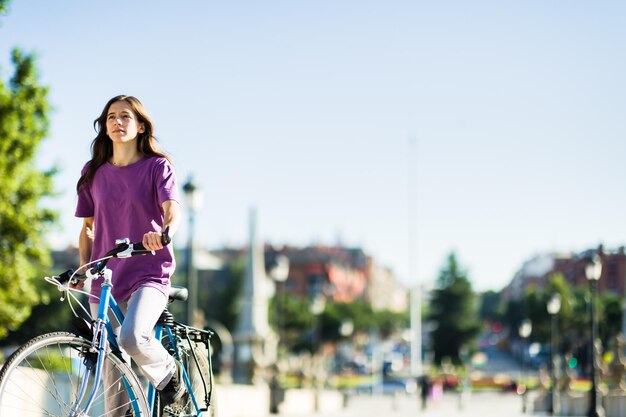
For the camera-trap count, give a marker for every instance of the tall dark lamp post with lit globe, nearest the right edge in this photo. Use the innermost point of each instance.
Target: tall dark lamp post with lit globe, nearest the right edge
(593, 271)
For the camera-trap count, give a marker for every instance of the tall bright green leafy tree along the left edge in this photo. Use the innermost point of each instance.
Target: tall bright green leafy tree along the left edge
(24, 113)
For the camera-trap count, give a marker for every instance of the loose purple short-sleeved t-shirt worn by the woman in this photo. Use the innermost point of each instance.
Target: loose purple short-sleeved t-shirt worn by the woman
(126, 202)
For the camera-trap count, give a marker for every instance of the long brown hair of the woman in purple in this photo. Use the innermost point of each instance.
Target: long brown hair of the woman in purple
(102, 146)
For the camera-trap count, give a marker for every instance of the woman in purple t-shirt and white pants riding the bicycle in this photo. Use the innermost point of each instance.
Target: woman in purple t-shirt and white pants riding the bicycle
(128, 189)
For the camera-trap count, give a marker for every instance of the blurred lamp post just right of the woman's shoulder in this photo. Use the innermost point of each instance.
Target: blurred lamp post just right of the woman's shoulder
(193, 196)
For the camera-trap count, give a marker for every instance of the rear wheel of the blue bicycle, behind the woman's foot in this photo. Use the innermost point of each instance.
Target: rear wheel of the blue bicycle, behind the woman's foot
(199, 376)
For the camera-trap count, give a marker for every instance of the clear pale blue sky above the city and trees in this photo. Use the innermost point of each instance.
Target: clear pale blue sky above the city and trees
(305, 110)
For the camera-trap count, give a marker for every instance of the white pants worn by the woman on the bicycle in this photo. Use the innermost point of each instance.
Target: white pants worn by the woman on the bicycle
(136, 340)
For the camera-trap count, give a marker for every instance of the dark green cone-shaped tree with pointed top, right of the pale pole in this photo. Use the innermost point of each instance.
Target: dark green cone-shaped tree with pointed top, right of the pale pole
(453, 313)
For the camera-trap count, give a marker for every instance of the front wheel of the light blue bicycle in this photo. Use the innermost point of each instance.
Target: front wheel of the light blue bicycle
(43, 377)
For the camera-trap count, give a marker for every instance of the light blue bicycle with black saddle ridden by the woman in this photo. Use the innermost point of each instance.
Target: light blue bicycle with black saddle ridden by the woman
(61, 373)
